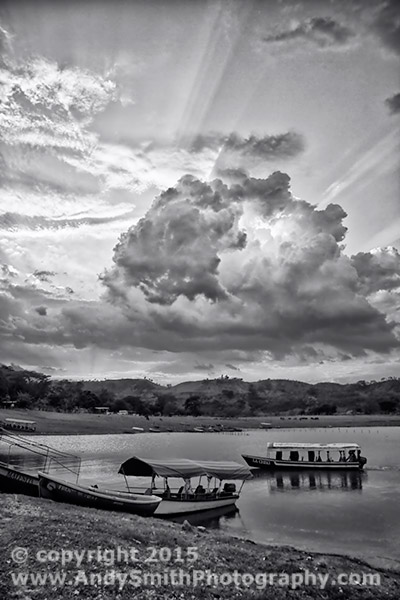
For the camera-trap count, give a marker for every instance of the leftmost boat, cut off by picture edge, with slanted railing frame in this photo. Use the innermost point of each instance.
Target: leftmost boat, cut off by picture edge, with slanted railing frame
(16, 479)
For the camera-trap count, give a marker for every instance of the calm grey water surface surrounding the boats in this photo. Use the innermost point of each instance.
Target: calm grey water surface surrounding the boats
(357, 514)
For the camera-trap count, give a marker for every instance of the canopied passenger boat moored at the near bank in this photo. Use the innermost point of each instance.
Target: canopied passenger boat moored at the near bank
(184, 499)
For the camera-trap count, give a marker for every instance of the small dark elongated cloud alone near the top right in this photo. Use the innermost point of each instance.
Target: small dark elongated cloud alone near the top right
(324, 32)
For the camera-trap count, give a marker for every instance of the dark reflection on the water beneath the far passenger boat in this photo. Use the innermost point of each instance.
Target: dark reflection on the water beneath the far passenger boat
(286, 481)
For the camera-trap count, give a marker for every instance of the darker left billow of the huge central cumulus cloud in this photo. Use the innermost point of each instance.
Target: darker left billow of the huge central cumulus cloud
(174, 250)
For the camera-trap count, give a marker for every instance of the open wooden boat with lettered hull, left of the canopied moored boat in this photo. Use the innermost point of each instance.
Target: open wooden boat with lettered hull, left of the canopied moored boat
(73, 493)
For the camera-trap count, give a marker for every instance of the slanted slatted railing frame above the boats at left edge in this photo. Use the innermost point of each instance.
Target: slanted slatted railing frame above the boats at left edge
(63, 460)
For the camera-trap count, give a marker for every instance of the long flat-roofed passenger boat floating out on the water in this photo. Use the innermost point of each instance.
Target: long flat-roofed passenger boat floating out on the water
(291, 455)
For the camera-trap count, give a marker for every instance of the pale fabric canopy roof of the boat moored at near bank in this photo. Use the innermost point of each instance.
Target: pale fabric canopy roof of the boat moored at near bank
(183, 467)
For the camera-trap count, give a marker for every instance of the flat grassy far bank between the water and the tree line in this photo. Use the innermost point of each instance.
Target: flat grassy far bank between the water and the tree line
(83, 423)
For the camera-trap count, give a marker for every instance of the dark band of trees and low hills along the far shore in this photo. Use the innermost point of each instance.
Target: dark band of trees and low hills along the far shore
(224, 397)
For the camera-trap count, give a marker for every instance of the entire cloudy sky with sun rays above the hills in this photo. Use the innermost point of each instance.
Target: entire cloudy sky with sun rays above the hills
(191, 188)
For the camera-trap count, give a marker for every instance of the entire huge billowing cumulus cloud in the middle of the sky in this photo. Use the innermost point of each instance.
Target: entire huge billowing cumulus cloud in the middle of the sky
(243, 266)
